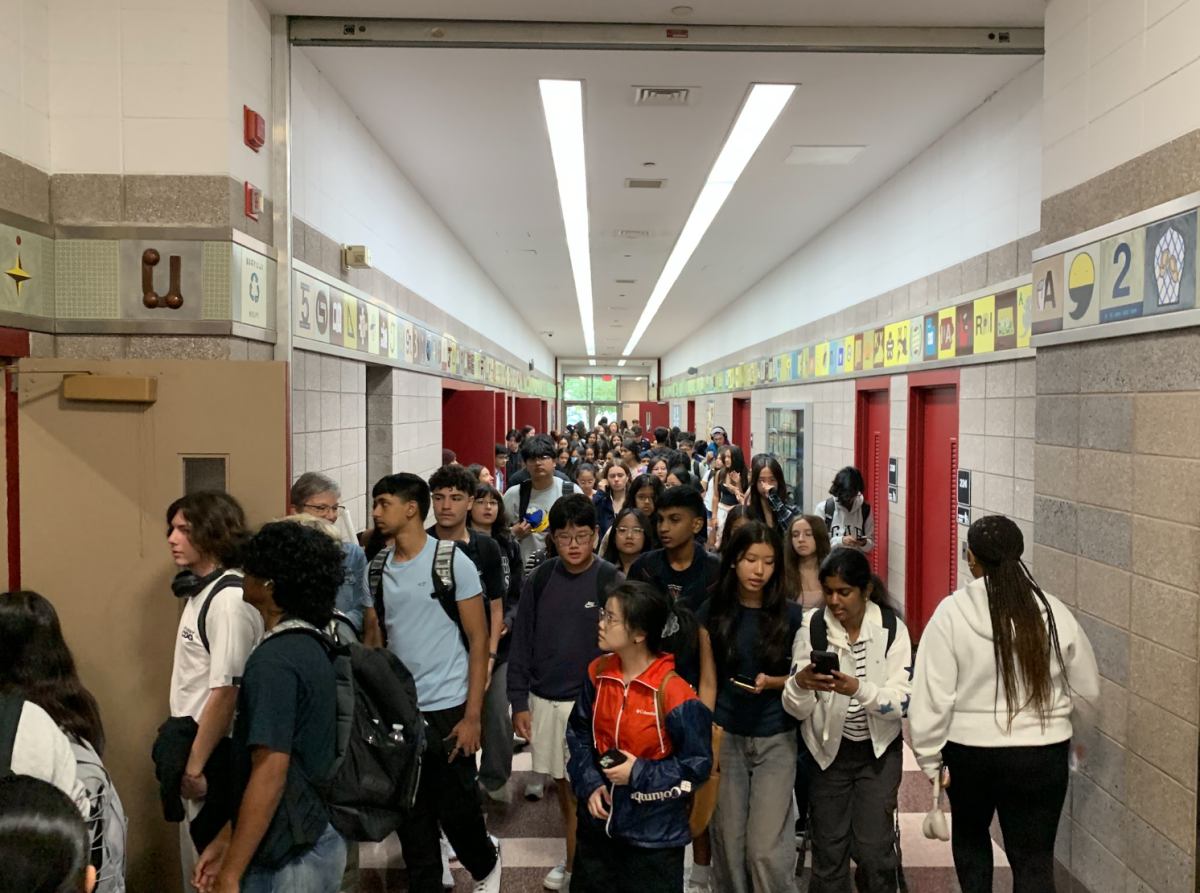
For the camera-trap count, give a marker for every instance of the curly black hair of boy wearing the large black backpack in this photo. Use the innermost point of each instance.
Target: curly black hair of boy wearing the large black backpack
(304, 565)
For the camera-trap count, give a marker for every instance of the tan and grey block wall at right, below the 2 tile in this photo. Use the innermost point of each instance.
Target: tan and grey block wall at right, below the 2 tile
(1118, 537)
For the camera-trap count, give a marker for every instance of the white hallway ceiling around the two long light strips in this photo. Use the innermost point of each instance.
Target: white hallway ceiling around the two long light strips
(467, 129)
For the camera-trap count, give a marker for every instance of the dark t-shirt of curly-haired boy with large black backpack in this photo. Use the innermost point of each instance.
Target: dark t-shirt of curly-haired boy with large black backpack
(289, 704)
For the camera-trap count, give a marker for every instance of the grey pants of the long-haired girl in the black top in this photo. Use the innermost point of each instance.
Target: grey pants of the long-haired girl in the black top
(754, 844)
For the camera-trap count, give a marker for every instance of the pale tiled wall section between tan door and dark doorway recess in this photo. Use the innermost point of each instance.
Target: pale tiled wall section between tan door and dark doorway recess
(329, 425)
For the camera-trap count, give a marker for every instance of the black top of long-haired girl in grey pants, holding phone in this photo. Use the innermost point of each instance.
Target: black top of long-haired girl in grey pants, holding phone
(742, 712)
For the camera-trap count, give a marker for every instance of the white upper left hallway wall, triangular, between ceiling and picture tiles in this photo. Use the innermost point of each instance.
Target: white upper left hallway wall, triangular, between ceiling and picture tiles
(347, 187)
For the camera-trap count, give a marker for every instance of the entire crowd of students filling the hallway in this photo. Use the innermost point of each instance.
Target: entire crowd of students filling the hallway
(692, 658)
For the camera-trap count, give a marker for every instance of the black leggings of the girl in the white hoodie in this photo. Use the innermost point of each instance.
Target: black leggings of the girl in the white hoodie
(1027, 788)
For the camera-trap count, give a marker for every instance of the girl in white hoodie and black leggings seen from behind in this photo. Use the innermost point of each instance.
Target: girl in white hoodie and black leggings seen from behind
(1000, 667)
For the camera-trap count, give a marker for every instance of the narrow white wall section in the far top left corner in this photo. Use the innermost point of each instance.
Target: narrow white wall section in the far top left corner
(25, 82)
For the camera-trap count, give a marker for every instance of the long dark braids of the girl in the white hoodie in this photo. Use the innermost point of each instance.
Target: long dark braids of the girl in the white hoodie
(1022, 642)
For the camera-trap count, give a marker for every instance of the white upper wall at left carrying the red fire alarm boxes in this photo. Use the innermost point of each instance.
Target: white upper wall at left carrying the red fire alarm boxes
(141, 88)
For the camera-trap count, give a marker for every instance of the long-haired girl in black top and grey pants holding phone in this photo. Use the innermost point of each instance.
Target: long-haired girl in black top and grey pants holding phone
(749, 626)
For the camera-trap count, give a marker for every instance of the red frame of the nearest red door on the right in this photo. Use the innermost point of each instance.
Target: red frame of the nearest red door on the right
(920, 606)
